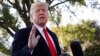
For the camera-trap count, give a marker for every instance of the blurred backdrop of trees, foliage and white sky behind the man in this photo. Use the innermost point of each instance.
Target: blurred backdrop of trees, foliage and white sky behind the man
(76, 20)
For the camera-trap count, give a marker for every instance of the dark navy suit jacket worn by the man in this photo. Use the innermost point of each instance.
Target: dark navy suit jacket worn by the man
(20, 44)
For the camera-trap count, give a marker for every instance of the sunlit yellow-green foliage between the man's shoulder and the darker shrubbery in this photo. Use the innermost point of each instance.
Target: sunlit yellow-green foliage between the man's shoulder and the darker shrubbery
(81, 32)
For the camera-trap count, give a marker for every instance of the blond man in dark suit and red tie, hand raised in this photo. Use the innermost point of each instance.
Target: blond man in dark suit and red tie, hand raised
(36, 40)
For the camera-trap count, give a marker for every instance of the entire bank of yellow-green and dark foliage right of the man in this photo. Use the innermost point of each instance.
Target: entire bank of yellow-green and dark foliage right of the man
(87, 33)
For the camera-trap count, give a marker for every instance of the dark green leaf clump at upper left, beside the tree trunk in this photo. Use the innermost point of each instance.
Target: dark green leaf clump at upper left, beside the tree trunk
(8, 19)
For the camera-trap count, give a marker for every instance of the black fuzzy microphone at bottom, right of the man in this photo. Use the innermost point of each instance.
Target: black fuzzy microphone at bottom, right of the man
(76, 48)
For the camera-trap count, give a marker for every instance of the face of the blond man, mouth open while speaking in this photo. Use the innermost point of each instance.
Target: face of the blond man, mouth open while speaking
(40, 15)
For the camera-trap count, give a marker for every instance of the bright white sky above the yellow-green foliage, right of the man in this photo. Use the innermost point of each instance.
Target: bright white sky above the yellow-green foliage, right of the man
(82, 12)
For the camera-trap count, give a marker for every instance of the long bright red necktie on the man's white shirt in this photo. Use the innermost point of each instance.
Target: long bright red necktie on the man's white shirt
(50, 44)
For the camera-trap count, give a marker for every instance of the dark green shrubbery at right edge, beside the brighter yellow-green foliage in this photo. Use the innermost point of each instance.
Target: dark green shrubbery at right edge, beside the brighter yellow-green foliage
(94, 48)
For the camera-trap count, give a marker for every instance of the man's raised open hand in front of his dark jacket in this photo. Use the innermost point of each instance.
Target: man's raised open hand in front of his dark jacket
(33, 40)
